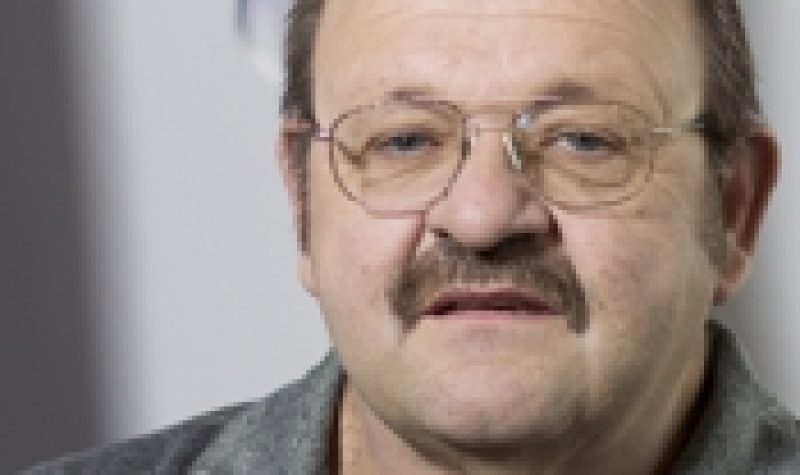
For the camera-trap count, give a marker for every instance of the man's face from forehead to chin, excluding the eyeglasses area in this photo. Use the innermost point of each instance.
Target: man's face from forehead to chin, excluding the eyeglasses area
(639, 267)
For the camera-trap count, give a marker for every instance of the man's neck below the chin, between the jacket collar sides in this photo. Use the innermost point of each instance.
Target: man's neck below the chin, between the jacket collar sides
(647, 439)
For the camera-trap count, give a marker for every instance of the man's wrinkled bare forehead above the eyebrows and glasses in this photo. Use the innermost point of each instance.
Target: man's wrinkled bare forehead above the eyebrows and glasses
(644, 51)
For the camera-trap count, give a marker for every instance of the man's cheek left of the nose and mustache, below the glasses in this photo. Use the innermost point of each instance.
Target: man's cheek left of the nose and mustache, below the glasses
(355, 257)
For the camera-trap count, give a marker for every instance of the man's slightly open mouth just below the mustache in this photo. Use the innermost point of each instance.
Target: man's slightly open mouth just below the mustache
(489, 305)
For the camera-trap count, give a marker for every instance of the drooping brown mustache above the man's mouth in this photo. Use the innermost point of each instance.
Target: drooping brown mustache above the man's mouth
(529, 262)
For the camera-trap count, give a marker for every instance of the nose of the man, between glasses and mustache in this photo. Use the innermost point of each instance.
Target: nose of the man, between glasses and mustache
(490, 201)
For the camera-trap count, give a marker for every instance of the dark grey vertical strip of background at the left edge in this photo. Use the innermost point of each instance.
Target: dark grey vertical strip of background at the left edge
(47, 385)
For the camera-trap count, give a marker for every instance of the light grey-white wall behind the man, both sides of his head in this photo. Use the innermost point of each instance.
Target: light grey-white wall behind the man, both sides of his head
(196, 297)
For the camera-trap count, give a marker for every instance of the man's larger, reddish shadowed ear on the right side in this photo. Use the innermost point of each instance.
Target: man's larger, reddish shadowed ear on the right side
(746, 188)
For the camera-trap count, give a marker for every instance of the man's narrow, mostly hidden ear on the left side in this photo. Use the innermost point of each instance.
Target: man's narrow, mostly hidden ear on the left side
(290, 137)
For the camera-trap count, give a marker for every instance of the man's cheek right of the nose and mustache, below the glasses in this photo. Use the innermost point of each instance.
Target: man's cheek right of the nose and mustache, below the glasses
(650, 251)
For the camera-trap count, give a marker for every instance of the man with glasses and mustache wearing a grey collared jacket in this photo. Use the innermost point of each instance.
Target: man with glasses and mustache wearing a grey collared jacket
(516, 216)
